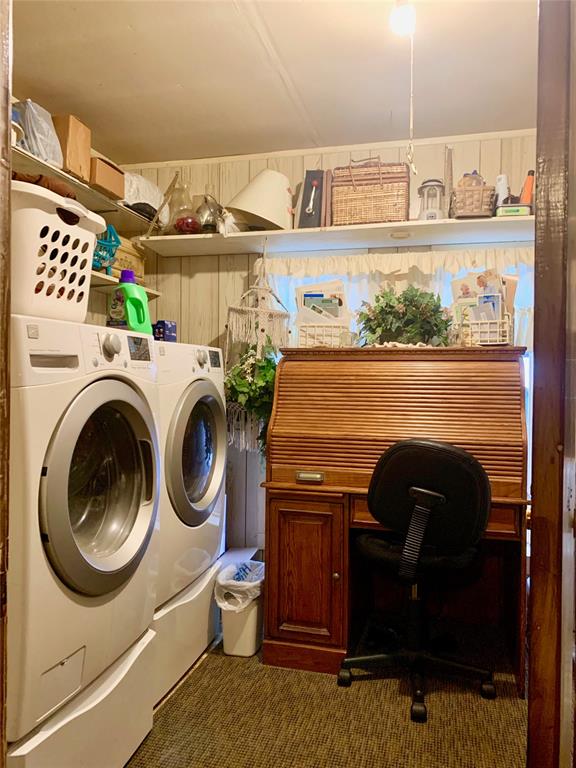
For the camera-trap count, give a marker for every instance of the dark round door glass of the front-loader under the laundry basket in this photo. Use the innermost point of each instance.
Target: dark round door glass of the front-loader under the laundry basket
(105, 484)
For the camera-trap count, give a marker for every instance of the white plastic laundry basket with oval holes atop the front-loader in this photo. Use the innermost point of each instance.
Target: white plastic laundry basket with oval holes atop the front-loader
(53, 240)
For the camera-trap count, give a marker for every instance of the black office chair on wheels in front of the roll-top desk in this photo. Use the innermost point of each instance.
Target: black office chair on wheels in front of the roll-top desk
(435, 499)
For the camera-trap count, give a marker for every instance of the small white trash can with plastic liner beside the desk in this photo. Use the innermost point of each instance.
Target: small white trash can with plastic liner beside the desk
(238, 593)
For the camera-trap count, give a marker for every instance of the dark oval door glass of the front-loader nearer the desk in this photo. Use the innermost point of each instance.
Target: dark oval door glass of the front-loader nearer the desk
(199, 451)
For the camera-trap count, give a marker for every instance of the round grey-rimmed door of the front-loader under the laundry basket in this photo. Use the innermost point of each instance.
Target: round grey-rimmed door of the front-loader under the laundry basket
(99, 488)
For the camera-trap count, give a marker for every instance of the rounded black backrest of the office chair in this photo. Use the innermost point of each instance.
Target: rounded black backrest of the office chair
(454, 525)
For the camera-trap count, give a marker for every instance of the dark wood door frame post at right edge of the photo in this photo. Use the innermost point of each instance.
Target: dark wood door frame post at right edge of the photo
(554, 404)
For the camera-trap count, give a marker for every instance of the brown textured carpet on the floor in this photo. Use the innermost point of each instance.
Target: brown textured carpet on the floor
(237, 713)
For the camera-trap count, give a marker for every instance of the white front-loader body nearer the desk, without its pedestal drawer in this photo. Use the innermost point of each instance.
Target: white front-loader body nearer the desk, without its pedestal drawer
(193, 449)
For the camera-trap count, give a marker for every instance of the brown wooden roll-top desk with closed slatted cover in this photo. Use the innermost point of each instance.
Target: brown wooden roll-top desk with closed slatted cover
(335, 412)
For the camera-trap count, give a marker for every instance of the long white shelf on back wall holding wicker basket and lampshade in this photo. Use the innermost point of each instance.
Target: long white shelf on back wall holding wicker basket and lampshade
(406, 233)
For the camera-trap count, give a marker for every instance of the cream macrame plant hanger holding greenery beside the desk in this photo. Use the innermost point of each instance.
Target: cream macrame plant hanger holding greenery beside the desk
(254, 321)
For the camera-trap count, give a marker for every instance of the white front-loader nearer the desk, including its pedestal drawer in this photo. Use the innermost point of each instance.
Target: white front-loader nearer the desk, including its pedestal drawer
(192, 504)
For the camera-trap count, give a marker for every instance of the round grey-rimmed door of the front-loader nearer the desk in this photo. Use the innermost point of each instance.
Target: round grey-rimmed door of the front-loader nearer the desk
(195, 459)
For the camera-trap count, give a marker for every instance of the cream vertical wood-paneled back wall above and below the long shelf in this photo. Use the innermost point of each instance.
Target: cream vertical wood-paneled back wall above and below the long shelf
(196, 291)
